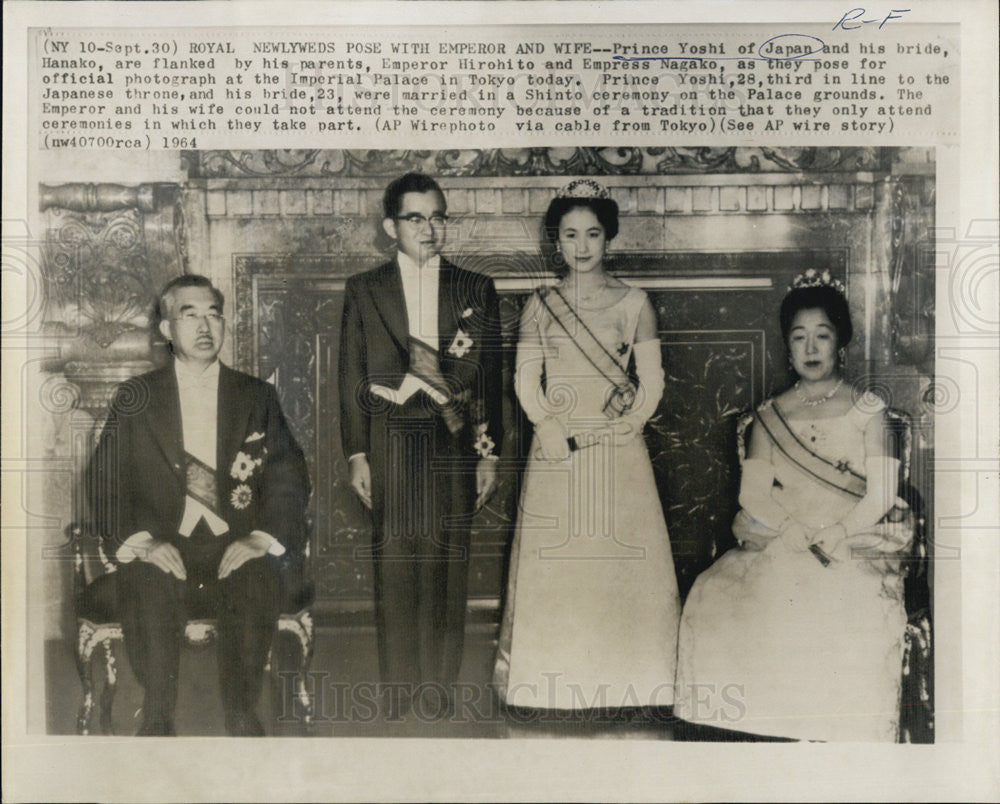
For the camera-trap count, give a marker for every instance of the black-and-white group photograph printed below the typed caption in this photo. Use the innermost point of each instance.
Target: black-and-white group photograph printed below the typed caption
(518, 496)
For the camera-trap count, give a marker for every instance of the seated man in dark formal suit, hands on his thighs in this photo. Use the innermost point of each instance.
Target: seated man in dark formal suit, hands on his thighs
(198, 489)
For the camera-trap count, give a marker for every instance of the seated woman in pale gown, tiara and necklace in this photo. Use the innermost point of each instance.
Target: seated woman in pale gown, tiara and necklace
(799, 631)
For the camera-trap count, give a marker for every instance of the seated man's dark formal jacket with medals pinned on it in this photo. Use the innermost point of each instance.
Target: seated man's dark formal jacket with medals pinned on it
(137, 479)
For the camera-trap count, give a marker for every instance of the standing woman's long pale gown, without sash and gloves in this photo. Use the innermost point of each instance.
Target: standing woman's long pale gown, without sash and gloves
(592, 604)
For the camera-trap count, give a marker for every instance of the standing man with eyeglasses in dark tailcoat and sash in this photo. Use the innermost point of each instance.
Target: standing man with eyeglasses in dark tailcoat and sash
(420, 422)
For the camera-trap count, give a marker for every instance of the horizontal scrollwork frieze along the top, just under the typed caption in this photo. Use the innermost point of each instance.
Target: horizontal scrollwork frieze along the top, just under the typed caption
(492, 162)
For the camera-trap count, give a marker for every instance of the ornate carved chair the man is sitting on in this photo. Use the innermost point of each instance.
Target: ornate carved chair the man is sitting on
(98, 628)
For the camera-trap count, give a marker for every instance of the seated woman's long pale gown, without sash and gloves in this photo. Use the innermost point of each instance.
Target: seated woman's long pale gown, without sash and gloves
(774, 643)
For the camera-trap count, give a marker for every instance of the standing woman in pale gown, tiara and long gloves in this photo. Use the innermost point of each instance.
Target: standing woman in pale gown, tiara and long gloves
(592, 604)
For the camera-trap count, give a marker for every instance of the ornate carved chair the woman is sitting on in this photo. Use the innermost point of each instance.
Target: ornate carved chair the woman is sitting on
(916, 718)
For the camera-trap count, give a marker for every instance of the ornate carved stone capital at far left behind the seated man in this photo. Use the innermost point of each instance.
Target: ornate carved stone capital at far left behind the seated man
(108, 250)
